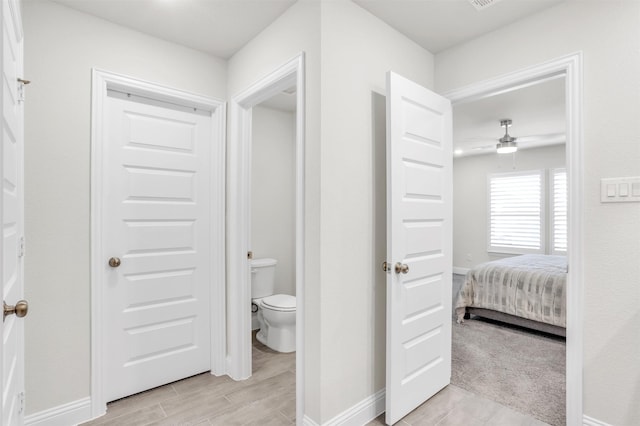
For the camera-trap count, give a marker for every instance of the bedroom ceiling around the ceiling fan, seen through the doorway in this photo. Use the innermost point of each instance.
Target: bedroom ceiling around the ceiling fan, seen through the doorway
(537, 112)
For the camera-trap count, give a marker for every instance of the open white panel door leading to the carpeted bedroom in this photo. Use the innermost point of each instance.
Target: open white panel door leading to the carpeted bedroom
(419, 239)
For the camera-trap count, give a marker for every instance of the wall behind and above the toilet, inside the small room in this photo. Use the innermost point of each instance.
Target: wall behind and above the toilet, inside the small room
(273, 192)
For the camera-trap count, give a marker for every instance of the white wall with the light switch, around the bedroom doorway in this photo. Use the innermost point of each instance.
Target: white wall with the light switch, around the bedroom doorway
(608, 34)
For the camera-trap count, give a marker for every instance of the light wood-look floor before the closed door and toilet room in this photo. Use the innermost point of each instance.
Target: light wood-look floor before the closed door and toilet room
(267, 398)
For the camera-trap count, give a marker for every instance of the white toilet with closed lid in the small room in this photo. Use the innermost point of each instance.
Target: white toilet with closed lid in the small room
(276, 313)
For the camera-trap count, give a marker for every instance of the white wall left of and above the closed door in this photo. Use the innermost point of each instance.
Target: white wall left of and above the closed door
(61, 47)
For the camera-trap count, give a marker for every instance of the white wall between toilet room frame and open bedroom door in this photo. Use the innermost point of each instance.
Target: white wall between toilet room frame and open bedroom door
(357, 51)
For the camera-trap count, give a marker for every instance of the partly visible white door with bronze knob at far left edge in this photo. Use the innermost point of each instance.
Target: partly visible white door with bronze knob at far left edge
(12, 217)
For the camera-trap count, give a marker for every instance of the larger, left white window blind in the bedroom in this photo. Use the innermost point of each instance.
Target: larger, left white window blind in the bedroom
(516, 212)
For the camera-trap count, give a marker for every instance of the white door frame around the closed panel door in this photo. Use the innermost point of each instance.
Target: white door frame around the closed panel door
(101, 82)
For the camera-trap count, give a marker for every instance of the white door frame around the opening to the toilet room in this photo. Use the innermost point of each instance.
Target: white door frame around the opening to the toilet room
(239, 218)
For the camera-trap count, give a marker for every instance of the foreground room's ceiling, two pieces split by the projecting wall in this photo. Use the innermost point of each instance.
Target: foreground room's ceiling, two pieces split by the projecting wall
(222, 27)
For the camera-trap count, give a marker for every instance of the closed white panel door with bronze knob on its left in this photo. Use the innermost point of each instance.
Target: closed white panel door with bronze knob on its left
(156, 235)
